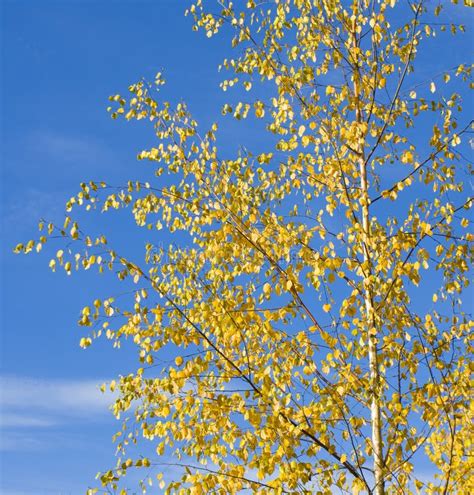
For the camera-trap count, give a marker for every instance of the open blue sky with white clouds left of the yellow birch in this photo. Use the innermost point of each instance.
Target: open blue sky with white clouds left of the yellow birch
(60, 62)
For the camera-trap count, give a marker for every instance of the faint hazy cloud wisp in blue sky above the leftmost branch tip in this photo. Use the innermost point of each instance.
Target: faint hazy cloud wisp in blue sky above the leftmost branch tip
(56, 162)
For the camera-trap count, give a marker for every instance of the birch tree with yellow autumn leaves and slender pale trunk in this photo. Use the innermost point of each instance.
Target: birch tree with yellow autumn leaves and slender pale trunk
(301, 312)
